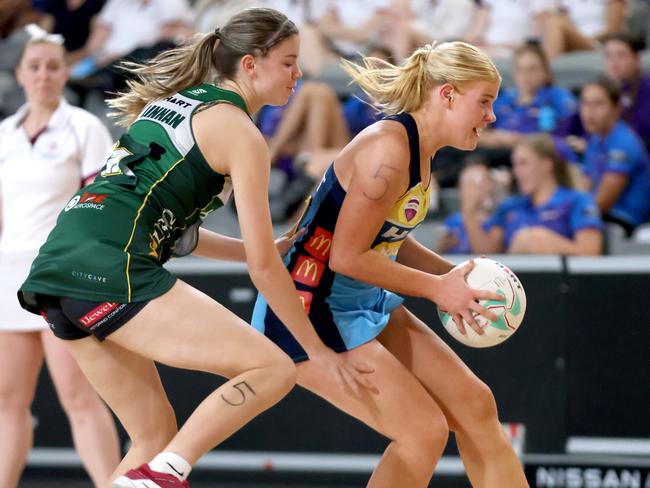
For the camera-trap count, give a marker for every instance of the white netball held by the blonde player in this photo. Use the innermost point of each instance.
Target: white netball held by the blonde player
(492, 275)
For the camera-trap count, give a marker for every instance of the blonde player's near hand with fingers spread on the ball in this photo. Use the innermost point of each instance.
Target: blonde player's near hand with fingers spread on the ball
(461, 301)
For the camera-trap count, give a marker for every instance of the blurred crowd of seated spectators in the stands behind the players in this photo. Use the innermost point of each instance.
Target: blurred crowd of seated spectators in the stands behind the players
(565, 168)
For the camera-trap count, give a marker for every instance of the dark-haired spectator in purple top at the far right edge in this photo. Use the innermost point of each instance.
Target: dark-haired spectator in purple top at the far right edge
(623, 65)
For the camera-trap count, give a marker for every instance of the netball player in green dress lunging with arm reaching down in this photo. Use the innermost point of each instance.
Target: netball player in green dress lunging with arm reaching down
(99, 278)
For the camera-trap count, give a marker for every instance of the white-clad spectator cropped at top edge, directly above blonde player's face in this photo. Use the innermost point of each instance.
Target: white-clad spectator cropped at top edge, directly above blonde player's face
(499, 27)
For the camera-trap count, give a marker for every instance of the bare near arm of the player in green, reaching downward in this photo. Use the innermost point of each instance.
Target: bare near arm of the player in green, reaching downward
(233, 145)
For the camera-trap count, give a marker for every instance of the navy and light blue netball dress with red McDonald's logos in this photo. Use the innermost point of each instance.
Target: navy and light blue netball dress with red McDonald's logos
(345, 312)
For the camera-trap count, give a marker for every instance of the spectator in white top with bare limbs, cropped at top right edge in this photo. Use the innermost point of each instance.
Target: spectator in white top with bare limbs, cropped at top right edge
(581, 25)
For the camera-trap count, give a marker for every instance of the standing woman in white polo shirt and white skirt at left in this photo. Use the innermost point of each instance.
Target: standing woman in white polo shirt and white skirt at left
(47, 150)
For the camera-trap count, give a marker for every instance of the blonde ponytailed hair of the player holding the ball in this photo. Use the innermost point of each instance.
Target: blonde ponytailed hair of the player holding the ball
(395, 89)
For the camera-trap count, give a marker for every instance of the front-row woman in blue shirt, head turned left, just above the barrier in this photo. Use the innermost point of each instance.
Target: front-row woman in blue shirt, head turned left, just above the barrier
(548, 217)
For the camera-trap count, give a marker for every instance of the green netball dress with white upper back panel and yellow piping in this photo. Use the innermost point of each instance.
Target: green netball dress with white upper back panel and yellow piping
(146, 204)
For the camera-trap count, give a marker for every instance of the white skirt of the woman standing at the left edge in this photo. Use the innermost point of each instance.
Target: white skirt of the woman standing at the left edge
(14, 268)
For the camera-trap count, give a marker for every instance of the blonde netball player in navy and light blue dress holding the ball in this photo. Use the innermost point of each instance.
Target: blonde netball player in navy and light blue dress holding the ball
(356, 255)
